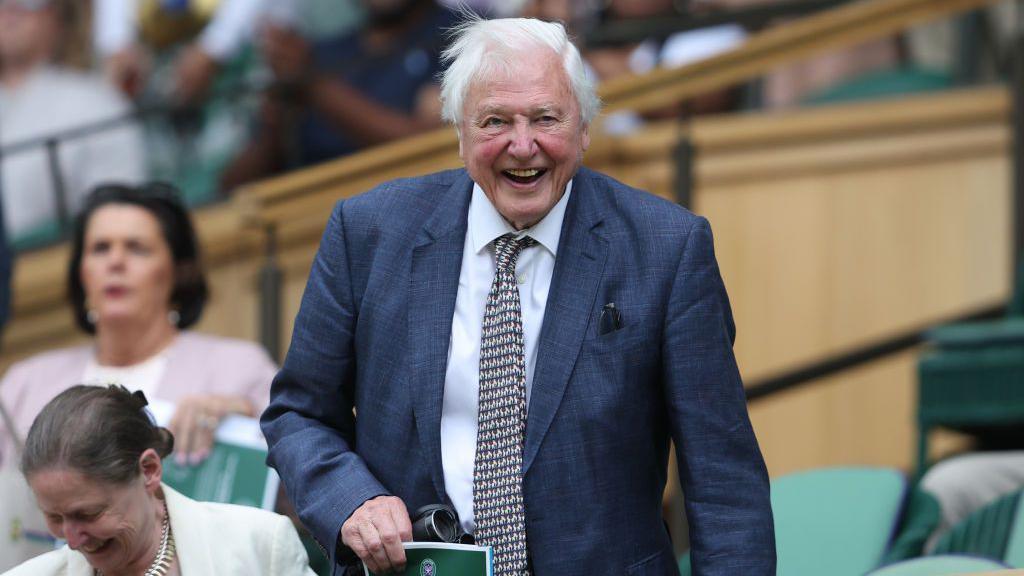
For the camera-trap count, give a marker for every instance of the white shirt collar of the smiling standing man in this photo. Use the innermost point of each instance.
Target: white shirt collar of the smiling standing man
(486, 224)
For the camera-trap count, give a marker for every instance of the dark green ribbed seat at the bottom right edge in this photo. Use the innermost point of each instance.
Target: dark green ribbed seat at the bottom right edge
(996, 532)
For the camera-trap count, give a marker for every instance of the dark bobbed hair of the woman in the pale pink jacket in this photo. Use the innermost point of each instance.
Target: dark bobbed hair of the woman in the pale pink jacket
(164, 203)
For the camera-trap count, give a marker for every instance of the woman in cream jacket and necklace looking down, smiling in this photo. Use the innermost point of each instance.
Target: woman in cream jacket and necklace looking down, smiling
(94, 460)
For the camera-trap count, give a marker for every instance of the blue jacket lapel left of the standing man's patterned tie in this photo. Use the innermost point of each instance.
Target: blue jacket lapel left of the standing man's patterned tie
(434, 286)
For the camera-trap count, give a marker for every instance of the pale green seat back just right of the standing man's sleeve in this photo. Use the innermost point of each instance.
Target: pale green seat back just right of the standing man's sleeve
(834, 521)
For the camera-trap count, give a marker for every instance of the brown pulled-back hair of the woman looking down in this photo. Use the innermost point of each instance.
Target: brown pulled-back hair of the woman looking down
(99, 432)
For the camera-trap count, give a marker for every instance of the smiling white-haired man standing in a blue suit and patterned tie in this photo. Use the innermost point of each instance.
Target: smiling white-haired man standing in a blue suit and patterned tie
(521, 340)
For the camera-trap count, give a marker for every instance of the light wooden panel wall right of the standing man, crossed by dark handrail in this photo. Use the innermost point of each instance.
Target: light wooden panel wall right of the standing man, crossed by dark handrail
(828, 244)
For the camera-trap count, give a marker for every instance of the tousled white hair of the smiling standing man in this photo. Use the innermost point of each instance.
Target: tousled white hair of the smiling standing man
(482, 48)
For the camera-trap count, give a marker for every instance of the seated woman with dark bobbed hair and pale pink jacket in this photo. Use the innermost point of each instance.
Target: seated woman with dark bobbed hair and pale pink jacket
(136, 283)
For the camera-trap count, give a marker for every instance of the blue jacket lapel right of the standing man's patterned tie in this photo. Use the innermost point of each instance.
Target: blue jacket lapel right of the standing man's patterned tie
(579, 266)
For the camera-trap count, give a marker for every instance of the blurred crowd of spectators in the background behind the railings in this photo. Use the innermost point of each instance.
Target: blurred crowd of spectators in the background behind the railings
(210, 95)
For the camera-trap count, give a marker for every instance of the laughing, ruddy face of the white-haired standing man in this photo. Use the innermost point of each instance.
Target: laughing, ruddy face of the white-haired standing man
(522, 137)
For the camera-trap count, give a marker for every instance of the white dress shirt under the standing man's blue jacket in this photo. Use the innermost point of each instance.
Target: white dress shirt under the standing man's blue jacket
(462, 381)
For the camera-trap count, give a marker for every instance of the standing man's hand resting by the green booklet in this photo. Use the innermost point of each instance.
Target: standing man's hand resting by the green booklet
(375, 532)
